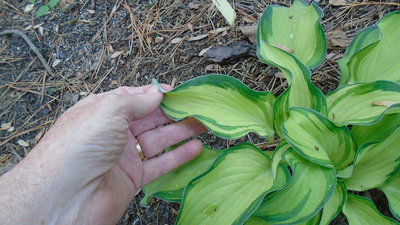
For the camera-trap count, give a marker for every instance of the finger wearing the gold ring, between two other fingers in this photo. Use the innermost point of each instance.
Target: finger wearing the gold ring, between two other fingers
(155, 141)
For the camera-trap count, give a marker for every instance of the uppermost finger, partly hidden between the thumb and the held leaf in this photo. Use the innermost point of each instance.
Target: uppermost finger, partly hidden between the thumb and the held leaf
(151, 121)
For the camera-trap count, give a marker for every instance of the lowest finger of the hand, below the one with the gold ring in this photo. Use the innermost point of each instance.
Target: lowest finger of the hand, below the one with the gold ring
(160, 165)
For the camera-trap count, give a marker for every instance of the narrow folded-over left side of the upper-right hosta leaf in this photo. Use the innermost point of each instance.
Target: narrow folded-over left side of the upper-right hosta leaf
(364, 38)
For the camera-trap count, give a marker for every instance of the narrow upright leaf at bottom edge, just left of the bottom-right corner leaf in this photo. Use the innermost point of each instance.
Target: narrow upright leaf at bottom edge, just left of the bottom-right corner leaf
(334, 205)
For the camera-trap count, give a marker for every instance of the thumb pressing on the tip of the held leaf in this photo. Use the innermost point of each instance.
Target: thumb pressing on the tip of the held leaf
(137, 106)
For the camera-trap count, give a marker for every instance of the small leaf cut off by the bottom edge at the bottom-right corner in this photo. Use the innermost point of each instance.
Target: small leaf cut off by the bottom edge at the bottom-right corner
(362, 211)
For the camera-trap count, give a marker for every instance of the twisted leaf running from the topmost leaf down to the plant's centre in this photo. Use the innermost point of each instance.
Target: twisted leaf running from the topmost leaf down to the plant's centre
(301, 91)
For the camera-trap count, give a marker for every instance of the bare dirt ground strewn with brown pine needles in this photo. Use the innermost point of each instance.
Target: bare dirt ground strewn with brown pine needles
(95, 46)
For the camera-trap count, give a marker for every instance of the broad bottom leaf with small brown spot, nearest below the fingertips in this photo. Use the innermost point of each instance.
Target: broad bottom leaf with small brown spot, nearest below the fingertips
(230, 190)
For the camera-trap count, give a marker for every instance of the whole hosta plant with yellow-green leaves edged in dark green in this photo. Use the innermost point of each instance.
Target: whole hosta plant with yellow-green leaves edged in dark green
(331, 147)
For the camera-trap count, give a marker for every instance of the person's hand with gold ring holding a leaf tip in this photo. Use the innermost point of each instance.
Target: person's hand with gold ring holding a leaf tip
(86, 169)
